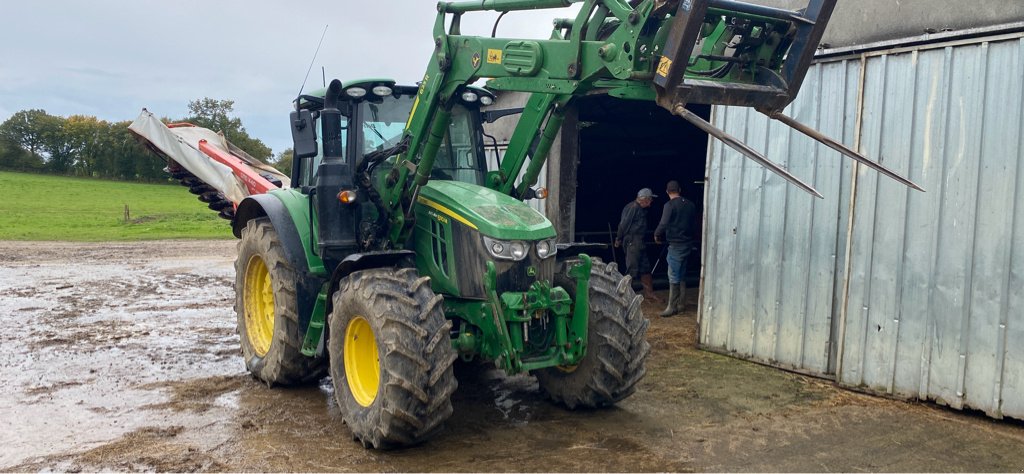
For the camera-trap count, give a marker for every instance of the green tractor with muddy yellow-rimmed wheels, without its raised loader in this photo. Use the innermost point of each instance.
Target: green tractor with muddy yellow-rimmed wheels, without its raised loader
(321, 286)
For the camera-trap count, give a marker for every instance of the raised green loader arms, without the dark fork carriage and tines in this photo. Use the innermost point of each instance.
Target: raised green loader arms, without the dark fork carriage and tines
(549, 67)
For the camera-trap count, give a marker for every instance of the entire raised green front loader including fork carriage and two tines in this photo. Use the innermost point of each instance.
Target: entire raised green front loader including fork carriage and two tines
(672, 52)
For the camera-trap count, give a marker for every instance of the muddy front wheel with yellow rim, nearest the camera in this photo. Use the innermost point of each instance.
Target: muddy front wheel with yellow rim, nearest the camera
(396, 390)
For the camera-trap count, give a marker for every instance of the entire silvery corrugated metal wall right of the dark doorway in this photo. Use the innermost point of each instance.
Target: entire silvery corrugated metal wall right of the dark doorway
(918, 295)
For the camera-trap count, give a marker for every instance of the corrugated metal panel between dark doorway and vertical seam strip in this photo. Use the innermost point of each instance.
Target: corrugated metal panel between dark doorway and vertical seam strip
(772, 250)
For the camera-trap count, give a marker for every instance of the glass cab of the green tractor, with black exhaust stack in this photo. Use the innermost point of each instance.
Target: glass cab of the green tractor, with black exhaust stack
(371, 118)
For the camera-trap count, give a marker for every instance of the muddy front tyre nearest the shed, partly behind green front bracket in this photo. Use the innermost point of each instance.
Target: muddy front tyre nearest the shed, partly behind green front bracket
(617, 336)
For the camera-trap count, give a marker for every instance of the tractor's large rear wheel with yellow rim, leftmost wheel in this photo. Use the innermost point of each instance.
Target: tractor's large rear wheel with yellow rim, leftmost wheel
(267, 308)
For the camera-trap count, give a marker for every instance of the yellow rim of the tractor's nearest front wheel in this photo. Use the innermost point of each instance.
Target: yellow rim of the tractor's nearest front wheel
(363, 369)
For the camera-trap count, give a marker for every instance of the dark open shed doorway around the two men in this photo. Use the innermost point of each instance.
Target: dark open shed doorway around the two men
(625, 146)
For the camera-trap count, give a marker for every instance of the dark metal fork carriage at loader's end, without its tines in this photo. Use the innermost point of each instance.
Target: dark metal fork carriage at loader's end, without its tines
(772, 52)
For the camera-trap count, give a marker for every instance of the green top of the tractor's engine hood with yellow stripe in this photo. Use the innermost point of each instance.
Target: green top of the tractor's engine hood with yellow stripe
(490, 212)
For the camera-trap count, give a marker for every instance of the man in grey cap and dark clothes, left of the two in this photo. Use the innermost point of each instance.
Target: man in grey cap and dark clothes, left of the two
(632, 229)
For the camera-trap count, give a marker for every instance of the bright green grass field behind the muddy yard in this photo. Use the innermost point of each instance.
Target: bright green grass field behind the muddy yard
(37, 207)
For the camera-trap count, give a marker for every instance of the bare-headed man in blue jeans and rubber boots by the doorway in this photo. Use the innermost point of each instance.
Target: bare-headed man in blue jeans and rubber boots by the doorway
(676, 228)
